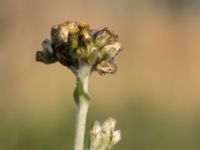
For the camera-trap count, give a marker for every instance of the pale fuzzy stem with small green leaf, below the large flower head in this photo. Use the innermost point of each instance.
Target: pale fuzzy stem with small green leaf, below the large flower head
(82, 100)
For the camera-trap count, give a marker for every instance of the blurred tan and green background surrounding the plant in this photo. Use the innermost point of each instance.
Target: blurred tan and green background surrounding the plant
(154, 95)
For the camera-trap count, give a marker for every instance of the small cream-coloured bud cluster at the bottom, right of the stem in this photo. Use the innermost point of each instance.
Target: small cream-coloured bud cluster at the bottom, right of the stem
(103, 137)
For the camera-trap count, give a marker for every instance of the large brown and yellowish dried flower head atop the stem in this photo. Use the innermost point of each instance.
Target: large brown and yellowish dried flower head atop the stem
(74, 44)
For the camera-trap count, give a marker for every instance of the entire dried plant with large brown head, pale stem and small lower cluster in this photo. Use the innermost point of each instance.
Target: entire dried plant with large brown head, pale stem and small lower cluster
(83, 51)
